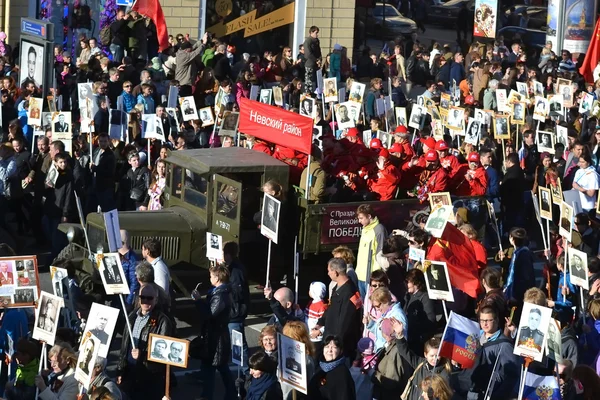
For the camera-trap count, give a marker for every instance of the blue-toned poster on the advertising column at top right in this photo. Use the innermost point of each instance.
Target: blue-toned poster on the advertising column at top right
(579, 20)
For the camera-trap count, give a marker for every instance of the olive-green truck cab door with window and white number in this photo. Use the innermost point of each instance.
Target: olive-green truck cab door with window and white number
(227, 201)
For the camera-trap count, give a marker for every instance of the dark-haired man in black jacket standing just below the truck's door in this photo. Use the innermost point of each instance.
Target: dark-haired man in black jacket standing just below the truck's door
(238, 282)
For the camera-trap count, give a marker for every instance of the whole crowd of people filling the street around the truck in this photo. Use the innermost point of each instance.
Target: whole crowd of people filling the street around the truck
(474, 121)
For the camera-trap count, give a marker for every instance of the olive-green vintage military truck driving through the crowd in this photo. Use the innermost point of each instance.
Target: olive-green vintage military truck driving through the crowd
(219, 190)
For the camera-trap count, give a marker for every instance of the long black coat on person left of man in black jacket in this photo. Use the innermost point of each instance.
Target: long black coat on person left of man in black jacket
(215, 311)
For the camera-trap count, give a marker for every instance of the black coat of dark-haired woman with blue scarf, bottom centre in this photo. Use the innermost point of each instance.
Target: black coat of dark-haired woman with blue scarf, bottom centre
(333, 385)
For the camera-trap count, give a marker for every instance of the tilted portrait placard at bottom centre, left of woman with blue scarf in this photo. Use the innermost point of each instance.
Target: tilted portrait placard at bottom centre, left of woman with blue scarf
(292, 362)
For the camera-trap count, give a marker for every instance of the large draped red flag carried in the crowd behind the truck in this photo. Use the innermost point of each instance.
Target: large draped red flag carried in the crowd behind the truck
(456, 250)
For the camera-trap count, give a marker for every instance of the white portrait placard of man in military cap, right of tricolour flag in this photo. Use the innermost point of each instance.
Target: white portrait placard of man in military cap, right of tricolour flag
(533, 326)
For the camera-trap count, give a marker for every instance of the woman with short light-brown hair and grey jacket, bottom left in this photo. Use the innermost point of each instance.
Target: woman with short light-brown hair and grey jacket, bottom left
(62, 369)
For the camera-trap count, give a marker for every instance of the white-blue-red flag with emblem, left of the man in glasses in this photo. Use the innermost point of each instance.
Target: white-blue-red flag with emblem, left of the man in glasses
(461, 340)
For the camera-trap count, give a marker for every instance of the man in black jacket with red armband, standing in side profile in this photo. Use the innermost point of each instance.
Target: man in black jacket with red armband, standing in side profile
(343, 317)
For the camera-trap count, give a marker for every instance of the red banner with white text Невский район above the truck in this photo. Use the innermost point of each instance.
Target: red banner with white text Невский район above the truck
(276, 125)
